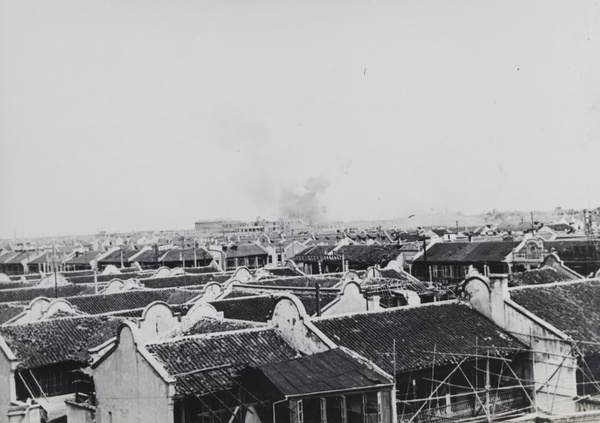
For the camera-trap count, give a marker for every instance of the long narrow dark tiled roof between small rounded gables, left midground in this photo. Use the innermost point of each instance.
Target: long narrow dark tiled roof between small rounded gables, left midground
(129, 300)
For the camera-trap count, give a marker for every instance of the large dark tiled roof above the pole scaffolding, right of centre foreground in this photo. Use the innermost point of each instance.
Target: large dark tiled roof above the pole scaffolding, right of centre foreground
(447, 328)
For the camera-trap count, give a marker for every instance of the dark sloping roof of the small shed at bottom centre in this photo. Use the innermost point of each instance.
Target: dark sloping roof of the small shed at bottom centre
(322, 372)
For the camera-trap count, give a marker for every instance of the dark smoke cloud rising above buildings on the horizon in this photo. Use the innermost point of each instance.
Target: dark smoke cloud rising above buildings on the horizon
(303, 202)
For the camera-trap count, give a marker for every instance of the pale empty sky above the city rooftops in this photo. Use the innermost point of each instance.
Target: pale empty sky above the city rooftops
(131, 115)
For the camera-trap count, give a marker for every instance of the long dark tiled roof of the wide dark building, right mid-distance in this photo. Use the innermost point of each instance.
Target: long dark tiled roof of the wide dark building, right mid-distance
(469, 252)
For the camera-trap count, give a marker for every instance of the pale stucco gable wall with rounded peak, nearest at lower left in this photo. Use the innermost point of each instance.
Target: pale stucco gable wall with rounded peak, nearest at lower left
(128, 389)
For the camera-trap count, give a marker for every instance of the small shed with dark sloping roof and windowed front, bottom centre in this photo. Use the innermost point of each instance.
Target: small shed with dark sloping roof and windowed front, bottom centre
(332, 386)
